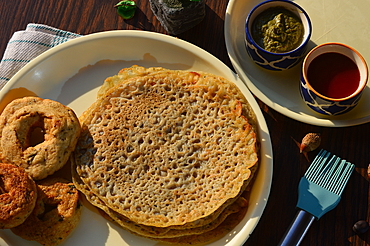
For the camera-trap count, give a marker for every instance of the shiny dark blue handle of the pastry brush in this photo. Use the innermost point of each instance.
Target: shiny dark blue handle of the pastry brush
(298, 229)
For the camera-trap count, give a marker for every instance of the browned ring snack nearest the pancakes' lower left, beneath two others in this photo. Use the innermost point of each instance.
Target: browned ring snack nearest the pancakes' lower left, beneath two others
(56, 214)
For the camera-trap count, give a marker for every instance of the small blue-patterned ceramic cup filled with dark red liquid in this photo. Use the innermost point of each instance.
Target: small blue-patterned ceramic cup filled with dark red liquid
(333, 77)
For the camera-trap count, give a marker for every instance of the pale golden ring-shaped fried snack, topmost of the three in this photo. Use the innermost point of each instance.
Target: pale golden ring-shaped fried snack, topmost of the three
(60, 127)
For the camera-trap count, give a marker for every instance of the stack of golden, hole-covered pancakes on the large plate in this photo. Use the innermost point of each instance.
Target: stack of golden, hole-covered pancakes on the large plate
(168, 154)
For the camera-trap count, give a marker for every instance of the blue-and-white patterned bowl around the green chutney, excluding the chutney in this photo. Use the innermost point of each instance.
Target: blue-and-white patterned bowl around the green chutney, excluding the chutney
(270, 60)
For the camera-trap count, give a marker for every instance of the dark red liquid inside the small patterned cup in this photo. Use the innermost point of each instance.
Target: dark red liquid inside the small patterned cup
(333, 75)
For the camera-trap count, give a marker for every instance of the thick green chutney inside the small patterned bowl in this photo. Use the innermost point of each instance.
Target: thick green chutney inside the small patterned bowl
(277, 30)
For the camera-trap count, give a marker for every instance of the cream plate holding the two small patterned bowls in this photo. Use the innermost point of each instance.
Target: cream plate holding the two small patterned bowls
(332, 21)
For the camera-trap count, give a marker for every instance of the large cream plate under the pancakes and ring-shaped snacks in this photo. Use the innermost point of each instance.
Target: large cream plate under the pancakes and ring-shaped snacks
(71, 73)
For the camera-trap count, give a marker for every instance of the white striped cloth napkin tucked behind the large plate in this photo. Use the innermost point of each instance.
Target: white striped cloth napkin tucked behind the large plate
(27, 44)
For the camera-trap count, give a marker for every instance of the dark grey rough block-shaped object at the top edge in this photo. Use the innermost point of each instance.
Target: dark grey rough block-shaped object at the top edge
(178, 16)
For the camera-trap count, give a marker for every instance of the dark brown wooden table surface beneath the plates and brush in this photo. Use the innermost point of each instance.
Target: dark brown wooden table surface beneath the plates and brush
(351, 143)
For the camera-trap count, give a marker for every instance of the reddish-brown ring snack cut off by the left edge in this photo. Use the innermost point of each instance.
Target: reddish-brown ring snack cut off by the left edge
(17, 195)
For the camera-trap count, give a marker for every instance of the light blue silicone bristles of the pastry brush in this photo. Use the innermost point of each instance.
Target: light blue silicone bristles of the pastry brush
(331, 174)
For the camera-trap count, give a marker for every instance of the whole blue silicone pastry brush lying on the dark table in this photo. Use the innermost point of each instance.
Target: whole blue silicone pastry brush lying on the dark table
(319, 191)
